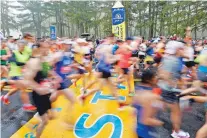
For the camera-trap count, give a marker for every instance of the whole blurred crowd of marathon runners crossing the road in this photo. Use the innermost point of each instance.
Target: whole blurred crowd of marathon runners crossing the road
(172, 72)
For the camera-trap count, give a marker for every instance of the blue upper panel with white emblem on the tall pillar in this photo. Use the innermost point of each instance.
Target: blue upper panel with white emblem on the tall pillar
(118, 16)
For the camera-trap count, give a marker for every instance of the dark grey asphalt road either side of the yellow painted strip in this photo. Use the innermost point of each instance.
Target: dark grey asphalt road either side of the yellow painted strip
(12, 116)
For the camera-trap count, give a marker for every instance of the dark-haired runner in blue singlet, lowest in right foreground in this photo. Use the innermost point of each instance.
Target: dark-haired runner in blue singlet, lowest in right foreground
(146, 104)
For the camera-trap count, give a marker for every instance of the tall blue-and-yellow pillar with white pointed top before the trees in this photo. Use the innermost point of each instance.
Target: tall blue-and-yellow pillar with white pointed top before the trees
(118, 21)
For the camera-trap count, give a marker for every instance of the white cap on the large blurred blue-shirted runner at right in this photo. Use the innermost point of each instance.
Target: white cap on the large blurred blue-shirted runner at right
(172, 46)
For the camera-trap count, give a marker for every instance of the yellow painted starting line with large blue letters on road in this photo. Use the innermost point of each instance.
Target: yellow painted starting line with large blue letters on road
(97, 118)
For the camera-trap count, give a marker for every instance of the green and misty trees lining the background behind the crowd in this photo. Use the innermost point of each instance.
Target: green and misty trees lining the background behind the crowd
(149, 18)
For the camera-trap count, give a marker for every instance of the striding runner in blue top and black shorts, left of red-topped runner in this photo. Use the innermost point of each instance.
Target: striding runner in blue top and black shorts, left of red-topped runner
(103, 75)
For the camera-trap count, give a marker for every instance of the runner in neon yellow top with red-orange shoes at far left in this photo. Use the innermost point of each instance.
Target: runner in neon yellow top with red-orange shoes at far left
(17, 61)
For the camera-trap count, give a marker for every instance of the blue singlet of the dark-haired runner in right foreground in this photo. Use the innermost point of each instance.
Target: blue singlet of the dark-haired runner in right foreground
(143, 130)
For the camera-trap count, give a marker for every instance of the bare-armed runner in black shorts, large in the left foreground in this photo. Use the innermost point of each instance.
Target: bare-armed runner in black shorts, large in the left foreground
(36, 71)
